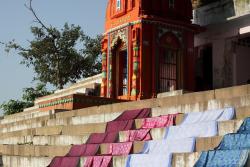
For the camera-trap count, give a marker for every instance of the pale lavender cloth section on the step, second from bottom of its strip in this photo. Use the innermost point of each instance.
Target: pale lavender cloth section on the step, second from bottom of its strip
(169, 146)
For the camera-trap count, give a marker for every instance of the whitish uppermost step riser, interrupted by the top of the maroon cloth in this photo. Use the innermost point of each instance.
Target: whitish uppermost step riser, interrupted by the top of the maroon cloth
(241, 104)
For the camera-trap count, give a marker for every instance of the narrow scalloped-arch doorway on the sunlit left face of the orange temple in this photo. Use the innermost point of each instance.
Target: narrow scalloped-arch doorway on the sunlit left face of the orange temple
(120, 69)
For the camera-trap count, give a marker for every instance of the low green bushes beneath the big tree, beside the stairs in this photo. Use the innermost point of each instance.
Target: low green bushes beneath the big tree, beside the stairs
(29, 96)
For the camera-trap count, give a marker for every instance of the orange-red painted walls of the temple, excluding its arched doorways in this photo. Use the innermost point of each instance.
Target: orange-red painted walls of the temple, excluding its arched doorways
(144, 20)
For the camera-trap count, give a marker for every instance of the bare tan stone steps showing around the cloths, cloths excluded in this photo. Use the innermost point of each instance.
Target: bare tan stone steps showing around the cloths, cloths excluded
(32, 138)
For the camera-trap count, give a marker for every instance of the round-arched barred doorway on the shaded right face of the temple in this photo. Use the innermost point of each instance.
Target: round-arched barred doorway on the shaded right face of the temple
(170, 64)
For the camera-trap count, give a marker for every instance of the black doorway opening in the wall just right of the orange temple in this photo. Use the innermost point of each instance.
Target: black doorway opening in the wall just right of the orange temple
(204, 68)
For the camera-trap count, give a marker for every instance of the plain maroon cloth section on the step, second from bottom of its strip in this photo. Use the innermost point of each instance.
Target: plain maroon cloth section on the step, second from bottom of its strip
(83, 150)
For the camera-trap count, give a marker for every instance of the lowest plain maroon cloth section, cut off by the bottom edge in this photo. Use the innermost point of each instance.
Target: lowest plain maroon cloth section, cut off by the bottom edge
(65, 162)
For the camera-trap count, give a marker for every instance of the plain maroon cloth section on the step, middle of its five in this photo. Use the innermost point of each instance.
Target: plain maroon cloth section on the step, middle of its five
(98, 138)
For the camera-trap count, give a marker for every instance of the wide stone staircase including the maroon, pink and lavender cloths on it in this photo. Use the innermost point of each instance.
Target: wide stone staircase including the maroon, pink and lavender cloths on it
(126, 134)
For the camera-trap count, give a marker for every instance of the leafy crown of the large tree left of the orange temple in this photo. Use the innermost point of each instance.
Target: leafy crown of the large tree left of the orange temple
(60, 56)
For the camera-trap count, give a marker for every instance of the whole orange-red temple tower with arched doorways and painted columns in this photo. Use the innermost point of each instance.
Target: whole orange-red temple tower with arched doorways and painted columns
(148, 48)
